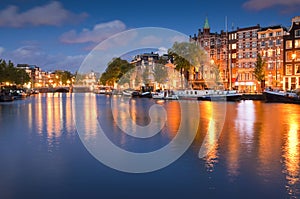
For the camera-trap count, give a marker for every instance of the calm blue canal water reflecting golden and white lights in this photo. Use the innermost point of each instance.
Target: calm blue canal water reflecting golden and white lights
(253, 151)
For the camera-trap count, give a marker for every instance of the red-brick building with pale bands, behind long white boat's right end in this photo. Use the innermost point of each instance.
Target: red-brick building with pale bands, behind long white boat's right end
(246, 58)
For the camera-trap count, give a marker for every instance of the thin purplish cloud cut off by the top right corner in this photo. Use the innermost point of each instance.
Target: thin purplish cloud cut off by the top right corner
(264, 4)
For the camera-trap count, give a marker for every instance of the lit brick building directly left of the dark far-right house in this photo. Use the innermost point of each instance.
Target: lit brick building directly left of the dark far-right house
(270, 47)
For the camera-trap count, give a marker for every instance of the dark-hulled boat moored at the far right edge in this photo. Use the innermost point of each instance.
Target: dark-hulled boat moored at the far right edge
(291, 97)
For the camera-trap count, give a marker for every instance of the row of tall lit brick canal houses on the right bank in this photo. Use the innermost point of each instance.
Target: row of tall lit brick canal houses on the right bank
(235, 53)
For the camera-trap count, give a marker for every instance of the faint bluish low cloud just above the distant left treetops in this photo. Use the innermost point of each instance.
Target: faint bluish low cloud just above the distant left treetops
(36, 56)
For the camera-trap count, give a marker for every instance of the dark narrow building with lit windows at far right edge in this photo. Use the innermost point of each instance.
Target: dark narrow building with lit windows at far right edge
(291, 56)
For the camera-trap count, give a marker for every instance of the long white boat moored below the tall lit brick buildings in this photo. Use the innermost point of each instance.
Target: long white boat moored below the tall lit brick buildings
(221, 95)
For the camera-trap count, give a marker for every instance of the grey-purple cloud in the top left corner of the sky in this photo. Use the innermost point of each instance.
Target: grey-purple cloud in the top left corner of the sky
(52, 14)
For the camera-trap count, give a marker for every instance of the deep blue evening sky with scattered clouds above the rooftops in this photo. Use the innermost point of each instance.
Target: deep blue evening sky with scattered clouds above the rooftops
(59, 34)
